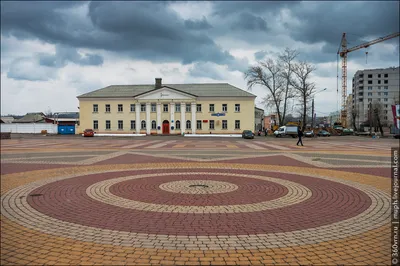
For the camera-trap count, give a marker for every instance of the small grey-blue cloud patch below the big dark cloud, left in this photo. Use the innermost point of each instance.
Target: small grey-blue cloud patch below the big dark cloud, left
(64, 55)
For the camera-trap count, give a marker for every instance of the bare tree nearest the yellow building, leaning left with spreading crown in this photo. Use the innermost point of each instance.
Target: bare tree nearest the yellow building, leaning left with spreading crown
(268, 75)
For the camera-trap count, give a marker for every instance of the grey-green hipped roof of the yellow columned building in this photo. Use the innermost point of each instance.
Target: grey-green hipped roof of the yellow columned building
(200, 90)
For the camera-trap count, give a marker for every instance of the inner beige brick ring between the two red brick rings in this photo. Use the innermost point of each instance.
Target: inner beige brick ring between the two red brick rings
(101, 192)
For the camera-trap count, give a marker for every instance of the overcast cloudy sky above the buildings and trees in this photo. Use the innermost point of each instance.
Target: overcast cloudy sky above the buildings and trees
(52, 52)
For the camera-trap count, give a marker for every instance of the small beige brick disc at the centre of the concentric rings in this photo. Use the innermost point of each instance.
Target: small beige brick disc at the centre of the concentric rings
(198, 187)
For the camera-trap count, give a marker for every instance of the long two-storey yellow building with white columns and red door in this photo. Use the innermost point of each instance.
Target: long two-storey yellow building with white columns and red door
(218, 108)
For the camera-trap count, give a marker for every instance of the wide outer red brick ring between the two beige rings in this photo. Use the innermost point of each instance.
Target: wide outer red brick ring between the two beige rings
(330, 202)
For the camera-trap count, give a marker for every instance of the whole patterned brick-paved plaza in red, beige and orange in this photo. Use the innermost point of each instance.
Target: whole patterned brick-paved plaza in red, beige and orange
(195, 201)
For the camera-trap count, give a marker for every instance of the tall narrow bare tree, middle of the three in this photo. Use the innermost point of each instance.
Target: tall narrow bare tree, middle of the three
(286, 60)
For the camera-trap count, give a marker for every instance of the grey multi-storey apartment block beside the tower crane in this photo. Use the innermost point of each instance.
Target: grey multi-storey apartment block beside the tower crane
(378, 87)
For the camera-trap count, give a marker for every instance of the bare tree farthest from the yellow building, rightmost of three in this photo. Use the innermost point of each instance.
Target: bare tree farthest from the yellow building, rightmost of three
(303, 86)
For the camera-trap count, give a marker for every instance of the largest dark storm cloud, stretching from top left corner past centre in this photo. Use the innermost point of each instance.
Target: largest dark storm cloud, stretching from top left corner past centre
(141, 30)
